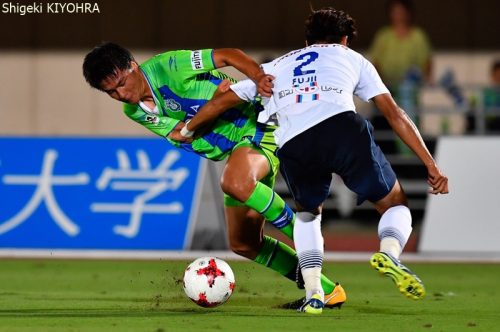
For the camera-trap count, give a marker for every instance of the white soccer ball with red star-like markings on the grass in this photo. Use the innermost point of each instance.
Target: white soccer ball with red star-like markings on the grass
(208, 281)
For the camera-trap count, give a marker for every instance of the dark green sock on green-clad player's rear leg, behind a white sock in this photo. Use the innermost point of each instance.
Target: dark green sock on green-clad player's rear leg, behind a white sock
(283, 259)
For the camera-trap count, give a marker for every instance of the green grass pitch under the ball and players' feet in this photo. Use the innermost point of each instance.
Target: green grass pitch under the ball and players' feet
(60, 295)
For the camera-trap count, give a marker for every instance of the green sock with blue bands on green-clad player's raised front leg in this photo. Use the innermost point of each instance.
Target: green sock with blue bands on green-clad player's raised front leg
(269, 204)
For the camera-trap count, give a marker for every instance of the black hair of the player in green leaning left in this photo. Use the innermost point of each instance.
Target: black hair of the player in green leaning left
(103, 61)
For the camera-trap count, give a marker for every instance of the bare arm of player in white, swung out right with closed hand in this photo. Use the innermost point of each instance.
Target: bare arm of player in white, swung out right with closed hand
(408, 132)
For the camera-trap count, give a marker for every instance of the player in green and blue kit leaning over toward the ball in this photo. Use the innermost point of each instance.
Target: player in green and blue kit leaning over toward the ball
(165, 92)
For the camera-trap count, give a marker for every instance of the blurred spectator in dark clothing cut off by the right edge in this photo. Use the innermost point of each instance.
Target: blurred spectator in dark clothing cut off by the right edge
(491, 99)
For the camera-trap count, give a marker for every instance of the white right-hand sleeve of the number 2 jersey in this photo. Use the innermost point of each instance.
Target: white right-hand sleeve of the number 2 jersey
(370, 84)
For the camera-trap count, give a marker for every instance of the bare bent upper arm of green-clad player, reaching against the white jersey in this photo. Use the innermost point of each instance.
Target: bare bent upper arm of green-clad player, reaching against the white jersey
(224, 57)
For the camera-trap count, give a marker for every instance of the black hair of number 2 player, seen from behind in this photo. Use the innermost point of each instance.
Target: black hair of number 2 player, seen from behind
(329, 25)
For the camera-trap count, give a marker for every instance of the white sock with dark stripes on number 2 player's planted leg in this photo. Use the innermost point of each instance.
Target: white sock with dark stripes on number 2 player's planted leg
(309, 246)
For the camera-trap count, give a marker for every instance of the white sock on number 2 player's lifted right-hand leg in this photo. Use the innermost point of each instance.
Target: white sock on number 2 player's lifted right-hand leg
(394, 229)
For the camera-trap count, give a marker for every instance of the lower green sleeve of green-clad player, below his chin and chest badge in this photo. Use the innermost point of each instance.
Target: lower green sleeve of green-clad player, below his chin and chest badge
(160, 125)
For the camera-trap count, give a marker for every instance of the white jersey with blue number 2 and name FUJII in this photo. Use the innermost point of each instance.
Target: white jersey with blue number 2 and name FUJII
(313, 84)
